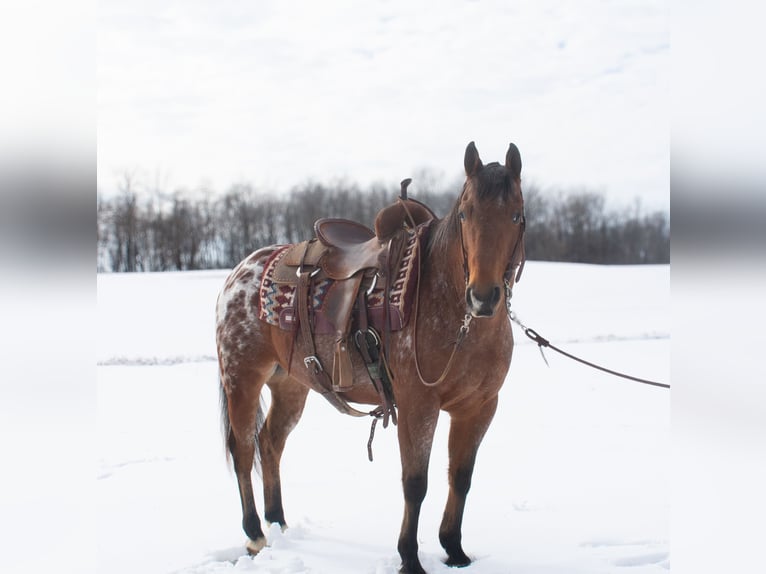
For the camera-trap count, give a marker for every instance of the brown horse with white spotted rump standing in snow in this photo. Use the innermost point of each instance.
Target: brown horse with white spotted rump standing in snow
(453, 355)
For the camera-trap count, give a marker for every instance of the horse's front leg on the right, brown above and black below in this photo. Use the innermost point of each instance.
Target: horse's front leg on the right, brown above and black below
(466, 432)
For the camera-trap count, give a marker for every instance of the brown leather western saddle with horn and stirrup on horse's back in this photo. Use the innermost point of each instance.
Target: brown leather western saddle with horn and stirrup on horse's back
(357, 260)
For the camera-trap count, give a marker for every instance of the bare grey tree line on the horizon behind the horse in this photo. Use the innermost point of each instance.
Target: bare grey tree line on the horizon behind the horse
(142, 231)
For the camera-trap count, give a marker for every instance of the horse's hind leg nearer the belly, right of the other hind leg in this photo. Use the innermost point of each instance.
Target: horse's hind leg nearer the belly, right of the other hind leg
(287, 401)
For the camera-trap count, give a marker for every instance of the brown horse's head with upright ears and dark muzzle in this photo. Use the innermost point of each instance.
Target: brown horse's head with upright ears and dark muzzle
(491, 219)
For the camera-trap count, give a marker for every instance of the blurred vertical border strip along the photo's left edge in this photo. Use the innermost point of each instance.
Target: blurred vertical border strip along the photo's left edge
(47, 286)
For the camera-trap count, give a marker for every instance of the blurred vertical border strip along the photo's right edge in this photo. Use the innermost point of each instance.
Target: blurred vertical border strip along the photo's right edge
(718, 226)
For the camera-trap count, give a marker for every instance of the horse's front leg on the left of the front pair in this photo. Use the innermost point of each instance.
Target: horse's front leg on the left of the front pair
(416, 428)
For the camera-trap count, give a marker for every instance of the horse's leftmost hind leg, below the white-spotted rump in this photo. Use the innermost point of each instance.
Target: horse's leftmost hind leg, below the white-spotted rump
(242, 393)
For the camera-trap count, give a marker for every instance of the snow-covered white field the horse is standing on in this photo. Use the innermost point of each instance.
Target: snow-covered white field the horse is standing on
(572, 477)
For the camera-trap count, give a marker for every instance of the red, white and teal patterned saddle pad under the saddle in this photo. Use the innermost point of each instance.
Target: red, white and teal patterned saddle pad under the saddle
(276, 303)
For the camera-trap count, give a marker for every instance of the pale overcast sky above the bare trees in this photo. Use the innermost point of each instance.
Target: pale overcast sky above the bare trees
(201, 92)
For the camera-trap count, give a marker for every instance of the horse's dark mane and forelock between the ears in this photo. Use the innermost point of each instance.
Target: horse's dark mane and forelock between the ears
(494, 181)
